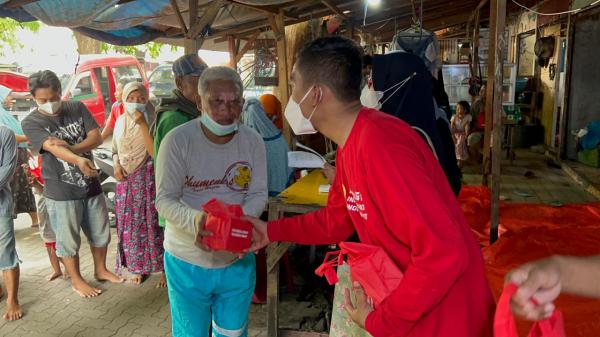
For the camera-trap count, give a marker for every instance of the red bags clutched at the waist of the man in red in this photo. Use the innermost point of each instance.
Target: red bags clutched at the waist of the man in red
(369, 265)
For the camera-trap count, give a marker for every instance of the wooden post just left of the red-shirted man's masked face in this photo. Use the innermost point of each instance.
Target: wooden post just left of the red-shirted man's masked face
(278, 27)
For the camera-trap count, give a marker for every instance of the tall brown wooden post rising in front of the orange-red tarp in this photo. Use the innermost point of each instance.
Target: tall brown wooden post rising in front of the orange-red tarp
(495, 74)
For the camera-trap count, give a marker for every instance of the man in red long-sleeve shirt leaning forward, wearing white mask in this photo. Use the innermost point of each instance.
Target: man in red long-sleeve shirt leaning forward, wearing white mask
(390, 189)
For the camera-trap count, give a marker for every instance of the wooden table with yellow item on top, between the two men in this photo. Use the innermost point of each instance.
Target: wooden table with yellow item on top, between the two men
(301, 197)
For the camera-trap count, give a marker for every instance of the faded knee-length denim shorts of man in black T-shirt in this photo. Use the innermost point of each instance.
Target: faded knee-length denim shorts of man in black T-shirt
(68, 218)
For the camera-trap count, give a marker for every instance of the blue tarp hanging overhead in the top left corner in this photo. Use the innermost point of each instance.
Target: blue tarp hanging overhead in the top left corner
(130, 23)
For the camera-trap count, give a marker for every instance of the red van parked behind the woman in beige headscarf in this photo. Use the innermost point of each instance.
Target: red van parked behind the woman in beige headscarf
(95, 80)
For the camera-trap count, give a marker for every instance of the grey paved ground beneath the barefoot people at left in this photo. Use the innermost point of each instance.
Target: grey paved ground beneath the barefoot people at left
(53, 309)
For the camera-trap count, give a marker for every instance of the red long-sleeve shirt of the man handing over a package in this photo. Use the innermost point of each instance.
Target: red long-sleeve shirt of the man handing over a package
(390, 189)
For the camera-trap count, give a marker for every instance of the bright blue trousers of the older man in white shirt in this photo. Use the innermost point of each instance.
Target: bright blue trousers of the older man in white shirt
(196, 292)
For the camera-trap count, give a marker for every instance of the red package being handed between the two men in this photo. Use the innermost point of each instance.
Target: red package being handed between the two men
(230, 232)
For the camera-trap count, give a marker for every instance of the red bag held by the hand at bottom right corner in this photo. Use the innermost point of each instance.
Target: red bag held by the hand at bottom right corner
(505, 325)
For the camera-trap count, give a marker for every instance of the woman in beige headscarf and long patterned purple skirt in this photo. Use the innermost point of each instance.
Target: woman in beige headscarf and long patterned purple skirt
(140, 238)
